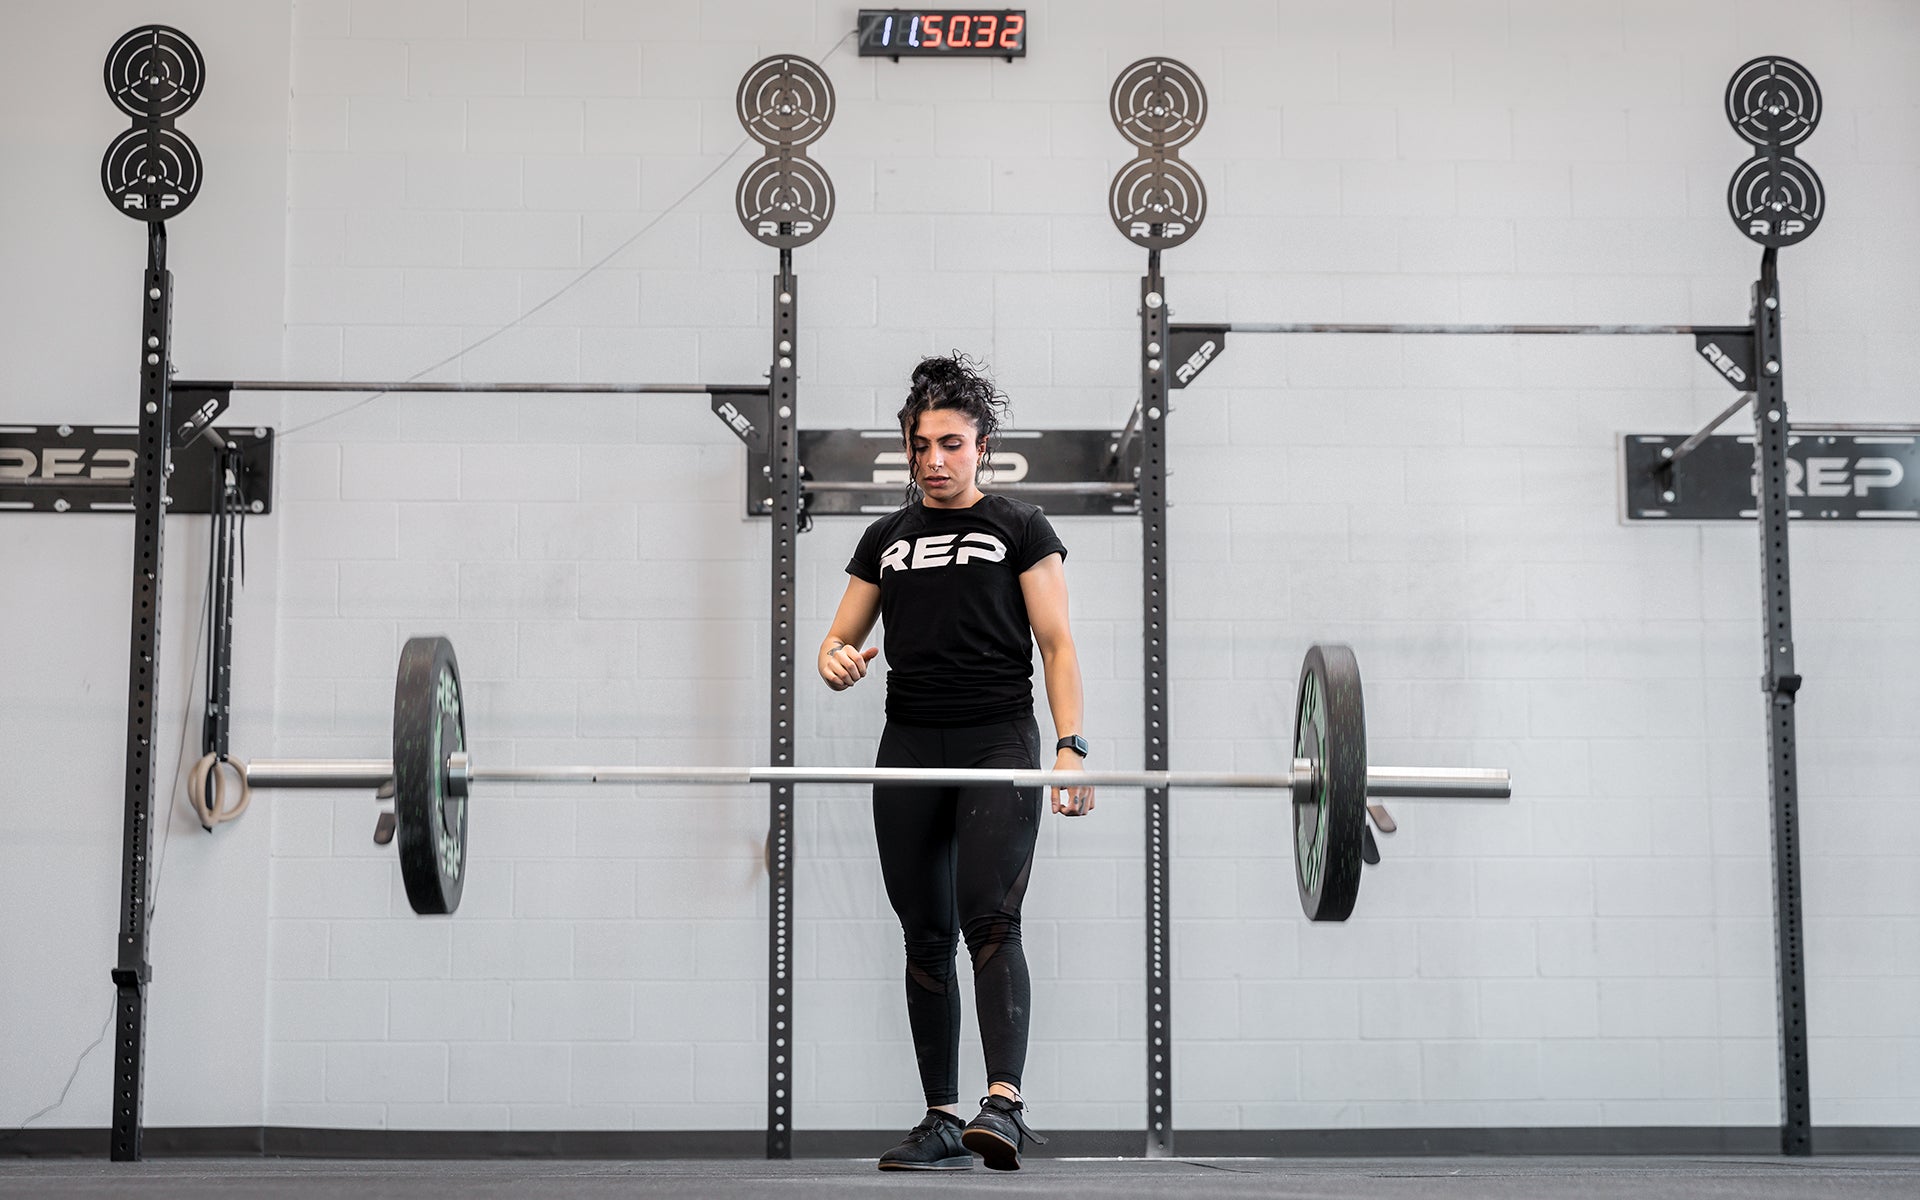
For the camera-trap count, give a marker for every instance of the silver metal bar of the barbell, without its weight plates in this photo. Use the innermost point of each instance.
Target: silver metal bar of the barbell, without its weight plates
(1404, 782)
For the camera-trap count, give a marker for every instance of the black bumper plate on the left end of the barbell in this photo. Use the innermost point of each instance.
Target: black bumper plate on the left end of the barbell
(429, 725)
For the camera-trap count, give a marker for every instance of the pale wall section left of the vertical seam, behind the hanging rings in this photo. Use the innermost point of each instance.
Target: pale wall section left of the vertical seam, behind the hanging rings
(70, 343)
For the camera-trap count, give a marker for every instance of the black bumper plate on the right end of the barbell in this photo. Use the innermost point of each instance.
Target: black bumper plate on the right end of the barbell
(1332, 809)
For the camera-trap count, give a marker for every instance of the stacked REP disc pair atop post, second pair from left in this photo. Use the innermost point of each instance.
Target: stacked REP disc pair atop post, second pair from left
(786, 199)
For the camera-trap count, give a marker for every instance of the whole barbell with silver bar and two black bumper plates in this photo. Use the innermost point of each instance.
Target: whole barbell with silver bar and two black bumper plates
(433, 779)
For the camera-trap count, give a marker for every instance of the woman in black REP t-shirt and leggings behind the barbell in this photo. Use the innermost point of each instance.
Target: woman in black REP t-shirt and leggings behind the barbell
(969, 585)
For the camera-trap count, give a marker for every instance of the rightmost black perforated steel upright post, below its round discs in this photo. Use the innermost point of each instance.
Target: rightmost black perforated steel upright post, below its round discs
(1781, 684)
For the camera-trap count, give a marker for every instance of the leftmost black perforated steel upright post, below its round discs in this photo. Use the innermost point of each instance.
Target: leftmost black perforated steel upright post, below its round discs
(149, 533)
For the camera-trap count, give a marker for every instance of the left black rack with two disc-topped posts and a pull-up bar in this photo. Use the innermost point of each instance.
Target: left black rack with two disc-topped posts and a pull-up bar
(153, 174)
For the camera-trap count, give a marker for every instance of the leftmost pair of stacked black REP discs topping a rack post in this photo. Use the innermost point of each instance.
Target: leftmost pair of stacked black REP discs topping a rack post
(153, 172)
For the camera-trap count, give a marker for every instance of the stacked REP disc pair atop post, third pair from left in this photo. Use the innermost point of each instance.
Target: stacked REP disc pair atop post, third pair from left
(1157, 201)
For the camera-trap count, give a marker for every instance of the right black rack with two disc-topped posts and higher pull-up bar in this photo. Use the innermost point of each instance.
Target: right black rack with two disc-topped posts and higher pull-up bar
(1775, 199)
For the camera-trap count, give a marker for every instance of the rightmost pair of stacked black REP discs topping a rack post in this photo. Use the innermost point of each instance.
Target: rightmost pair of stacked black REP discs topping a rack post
(1775, 199)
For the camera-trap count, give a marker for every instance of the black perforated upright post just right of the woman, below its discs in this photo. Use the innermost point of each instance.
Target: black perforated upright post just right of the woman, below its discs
(1155, 708)
